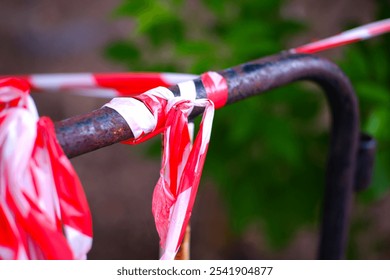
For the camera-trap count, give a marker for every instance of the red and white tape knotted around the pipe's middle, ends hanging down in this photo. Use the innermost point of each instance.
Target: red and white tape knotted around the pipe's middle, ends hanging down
(158, 110)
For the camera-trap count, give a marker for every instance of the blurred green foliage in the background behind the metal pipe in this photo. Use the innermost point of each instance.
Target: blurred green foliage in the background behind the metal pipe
(267, 154)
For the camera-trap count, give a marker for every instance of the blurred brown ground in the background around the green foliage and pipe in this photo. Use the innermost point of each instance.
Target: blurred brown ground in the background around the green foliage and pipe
(69, 36)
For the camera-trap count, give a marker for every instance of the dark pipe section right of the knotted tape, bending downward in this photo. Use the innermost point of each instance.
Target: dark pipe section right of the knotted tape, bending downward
(265, 74)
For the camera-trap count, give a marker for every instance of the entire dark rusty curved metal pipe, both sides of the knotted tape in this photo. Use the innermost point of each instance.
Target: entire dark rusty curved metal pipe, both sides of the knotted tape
(104, 127)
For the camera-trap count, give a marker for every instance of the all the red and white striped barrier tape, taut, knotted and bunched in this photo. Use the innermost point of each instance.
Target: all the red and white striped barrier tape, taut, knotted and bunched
(43, 210)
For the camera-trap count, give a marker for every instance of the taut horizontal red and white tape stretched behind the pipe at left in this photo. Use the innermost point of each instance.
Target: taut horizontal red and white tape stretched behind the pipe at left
(107, 85)
